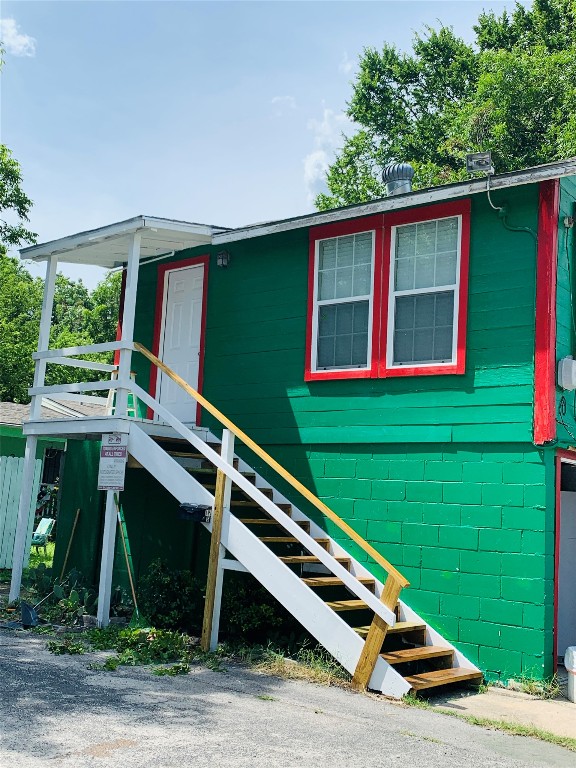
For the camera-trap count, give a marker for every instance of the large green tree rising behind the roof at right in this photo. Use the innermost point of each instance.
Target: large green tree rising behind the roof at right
(513, 93)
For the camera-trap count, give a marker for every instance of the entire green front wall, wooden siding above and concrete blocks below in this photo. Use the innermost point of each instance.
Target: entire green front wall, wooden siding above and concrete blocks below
(438, 472)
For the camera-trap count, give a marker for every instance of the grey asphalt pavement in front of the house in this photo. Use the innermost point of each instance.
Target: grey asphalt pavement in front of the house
(54, 711)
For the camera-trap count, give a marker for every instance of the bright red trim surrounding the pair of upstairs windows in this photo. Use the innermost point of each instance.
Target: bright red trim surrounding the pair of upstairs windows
(381, 224)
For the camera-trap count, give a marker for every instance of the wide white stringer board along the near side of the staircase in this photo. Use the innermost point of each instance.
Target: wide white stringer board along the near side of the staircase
(339, 639)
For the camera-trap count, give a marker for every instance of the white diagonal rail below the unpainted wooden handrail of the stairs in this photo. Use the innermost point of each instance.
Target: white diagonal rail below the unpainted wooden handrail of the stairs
(271, 508)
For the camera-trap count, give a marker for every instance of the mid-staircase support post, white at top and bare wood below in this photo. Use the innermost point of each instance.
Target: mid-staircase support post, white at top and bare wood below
(211, 621)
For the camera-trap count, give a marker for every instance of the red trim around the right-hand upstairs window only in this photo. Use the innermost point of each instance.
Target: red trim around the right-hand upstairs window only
(429, 213)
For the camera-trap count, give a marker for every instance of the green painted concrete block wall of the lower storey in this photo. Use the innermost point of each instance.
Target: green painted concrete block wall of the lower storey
(481, 574)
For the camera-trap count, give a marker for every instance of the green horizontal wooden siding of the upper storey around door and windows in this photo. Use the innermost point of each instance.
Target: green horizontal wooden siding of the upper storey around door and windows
(255, 345)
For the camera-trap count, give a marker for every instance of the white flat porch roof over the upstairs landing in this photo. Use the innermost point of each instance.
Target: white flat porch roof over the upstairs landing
(109, 246)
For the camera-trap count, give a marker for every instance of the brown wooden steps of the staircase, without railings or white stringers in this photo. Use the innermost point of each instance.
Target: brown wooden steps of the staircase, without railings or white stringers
(407, 647)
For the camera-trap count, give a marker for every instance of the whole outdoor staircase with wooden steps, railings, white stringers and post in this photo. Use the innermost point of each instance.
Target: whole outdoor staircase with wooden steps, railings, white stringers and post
(361, 621)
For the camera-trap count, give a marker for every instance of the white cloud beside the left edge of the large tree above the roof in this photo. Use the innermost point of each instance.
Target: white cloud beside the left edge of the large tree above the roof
(327, 140)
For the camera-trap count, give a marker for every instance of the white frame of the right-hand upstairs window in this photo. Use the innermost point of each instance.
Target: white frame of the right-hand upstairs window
(392, 294)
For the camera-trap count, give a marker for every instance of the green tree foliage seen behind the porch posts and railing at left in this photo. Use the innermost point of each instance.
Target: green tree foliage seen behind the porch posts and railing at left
(79, 317)
